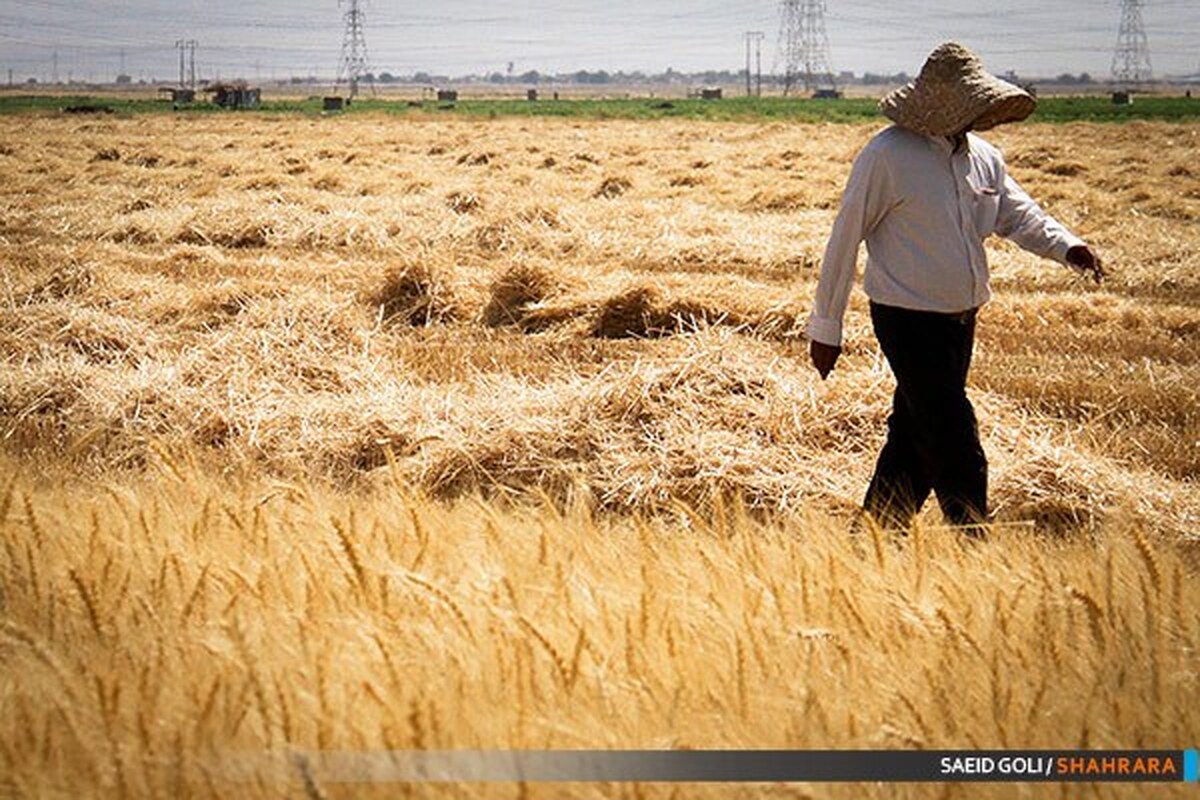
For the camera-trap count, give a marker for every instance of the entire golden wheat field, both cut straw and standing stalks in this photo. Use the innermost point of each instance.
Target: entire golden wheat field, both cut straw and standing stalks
(363, 434)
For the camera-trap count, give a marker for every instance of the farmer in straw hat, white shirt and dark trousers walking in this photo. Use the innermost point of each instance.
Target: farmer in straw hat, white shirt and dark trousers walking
(925, 194)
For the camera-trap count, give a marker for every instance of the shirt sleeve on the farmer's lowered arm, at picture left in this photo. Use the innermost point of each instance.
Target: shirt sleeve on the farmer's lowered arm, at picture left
(865, 202)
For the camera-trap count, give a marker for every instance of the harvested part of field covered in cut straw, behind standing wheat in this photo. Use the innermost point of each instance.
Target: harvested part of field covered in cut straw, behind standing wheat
(226, 302)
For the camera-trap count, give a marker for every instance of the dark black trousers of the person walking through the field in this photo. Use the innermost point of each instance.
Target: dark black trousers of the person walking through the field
(933, 440)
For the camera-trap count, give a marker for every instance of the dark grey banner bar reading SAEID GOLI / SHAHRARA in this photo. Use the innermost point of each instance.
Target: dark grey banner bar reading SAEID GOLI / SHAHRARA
(711, 766)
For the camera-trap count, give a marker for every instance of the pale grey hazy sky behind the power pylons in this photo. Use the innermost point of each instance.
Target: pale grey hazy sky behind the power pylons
(274, 39)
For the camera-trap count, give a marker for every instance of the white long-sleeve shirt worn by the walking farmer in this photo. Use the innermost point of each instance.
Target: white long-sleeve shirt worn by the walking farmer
(925, 210)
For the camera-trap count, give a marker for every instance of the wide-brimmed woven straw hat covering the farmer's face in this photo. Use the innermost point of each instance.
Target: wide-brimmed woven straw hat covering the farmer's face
(955, 93)
